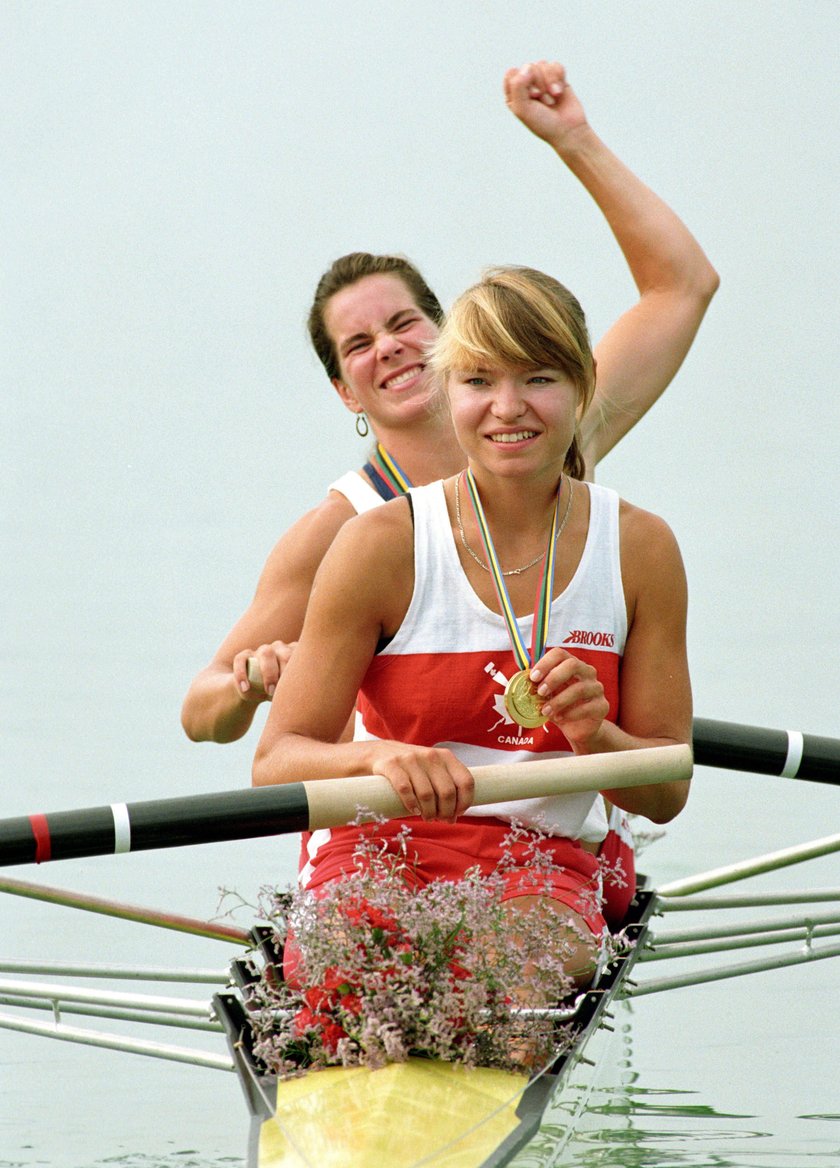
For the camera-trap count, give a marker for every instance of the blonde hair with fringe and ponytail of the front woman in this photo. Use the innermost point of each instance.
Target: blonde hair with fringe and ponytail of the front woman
(519, 318)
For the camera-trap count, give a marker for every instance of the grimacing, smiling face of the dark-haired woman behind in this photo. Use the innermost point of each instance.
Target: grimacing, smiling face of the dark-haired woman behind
(381, 338)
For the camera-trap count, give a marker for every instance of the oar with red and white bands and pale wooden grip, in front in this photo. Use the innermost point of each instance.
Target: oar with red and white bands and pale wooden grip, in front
(309, 807)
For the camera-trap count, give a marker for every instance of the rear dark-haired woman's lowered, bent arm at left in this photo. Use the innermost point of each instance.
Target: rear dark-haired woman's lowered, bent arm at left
(221, 703)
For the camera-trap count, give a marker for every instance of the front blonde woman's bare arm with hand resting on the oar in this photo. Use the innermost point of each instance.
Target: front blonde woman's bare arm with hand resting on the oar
(351, 609)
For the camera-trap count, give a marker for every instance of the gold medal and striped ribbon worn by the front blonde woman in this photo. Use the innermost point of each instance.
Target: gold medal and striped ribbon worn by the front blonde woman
(522, 700)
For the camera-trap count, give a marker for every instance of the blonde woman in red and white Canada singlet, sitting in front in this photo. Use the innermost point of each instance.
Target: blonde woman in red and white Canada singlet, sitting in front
(425, 607)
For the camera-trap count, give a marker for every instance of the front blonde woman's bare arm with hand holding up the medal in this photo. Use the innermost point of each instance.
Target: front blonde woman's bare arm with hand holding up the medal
(656, 697)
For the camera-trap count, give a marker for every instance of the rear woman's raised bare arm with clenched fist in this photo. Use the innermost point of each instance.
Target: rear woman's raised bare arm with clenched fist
(641, 354)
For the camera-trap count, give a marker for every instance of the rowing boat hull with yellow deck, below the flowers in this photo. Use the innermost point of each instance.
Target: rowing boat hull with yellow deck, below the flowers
(449, 1116)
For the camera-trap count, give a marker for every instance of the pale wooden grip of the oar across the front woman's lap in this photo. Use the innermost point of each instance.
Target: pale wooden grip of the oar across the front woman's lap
(338, 802)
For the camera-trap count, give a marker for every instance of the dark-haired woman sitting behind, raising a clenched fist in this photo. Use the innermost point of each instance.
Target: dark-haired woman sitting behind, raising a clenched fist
(371, 323)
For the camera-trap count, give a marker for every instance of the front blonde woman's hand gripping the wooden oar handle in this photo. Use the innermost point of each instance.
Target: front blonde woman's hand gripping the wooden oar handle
(431, 781)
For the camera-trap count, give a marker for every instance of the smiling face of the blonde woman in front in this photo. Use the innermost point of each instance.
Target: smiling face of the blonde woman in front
(515, 421)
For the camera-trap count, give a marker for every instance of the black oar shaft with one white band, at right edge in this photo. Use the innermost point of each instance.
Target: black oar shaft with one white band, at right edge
(785, 753)
